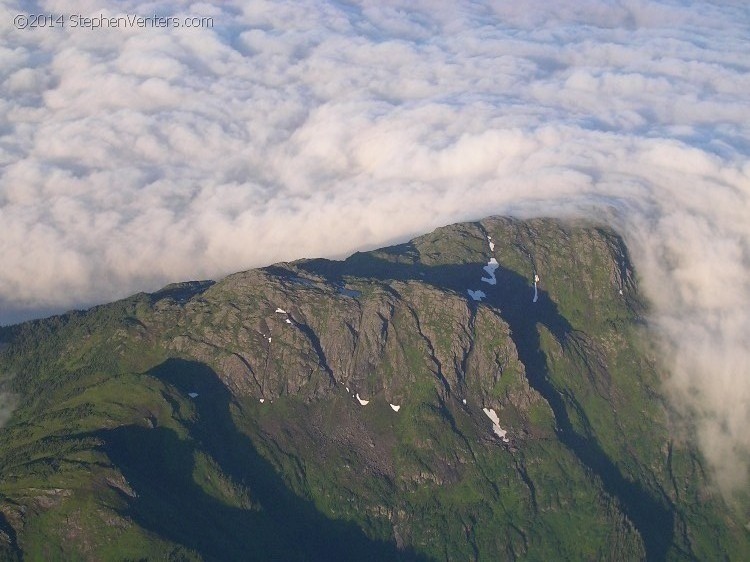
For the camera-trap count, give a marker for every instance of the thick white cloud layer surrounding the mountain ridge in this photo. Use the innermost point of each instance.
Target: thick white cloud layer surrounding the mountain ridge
(133, 157)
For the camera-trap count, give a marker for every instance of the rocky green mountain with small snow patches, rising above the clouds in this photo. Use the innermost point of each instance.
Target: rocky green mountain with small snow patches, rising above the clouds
(365, 409)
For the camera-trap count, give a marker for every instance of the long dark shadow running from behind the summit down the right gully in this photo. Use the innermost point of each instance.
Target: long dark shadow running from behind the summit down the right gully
(512, 296)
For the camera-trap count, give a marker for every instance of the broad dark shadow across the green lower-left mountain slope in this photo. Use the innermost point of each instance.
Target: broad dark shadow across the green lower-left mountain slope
(159, 464)
